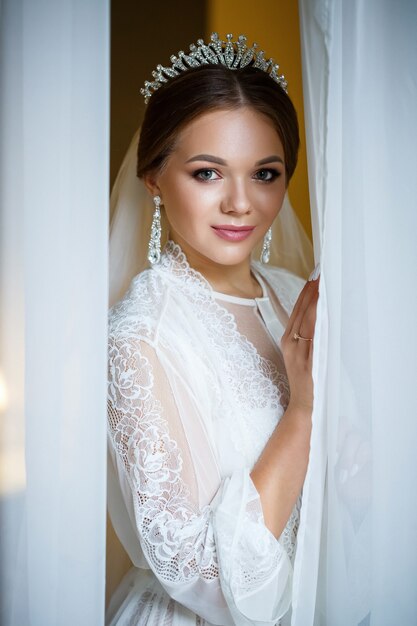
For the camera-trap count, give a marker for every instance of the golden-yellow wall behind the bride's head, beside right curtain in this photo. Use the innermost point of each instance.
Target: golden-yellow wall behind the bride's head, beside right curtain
(274, 25)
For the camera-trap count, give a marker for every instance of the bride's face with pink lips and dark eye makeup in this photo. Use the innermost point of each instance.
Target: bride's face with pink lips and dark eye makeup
(223, 185)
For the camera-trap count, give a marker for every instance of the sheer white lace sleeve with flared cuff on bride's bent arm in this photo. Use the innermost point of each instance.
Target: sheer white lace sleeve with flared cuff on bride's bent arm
(218, 559)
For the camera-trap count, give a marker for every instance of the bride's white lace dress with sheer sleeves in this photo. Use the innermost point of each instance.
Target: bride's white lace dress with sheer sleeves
(197, 384)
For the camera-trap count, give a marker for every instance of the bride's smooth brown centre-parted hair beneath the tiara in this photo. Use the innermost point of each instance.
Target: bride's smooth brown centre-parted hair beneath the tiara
(207, 88)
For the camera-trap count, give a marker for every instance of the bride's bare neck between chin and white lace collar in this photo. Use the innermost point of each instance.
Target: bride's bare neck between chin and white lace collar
(234, 280)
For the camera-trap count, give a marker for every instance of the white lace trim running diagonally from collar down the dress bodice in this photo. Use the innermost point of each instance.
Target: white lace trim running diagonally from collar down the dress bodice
(260, 392)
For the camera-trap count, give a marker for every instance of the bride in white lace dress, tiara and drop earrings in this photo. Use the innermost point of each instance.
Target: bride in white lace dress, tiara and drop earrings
(210, 354)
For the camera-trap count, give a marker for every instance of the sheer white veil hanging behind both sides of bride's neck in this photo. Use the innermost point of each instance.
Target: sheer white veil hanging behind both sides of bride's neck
(131, 210)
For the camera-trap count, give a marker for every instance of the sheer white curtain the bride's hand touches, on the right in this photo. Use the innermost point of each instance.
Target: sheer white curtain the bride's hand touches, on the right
(357, 556)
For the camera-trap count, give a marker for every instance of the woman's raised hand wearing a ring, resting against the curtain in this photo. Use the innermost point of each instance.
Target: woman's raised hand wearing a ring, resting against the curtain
(298, 353)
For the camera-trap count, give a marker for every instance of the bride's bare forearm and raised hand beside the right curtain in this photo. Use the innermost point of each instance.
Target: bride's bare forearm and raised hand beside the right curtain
(280, 470)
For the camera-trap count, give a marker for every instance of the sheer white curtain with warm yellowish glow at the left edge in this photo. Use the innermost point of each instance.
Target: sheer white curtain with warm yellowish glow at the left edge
(54, 67)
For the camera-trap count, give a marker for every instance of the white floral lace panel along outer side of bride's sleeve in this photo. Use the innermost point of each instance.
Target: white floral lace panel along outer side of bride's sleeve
(177, 539)
